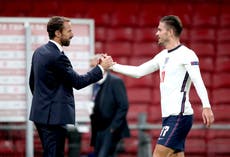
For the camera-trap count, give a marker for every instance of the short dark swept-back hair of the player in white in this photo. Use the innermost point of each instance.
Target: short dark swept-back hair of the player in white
(173, 22)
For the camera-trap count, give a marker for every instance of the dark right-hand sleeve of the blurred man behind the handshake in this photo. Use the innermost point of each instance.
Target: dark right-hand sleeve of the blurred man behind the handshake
(119, 92)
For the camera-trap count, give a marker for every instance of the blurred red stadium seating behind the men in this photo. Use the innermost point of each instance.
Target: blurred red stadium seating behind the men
(125, 29)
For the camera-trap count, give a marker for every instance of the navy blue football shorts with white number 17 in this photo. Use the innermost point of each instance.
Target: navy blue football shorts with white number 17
(174, 131)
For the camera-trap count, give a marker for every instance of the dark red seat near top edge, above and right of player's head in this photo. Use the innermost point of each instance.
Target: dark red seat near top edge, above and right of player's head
(205, 14)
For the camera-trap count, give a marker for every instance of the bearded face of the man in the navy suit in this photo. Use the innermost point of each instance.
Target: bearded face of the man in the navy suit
(66, 34)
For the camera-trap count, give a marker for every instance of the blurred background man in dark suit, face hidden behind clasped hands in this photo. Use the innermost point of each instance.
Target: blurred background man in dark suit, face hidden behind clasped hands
(108, 120)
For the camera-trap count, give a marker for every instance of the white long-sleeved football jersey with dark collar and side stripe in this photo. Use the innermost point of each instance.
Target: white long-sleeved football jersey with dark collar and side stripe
(178, 68)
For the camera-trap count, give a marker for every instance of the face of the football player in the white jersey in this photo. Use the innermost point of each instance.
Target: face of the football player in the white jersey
(162, 34)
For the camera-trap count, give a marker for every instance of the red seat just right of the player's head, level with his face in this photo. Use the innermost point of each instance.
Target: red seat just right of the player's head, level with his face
(202, 35)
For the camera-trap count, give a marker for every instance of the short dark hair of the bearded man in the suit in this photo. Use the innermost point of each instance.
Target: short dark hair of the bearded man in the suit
(56, 23)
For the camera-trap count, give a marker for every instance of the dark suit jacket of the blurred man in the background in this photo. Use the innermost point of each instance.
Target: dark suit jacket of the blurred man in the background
(110, 109)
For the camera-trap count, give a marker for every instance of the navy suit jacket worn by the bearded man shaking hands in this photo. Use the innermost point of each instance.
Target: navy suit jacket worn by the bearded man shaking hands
(52, 80)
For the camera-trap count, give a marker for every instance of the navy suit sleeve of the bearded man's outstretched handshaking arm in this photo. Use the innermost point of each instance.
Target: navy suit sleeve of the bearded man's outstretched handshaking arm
(67, 74)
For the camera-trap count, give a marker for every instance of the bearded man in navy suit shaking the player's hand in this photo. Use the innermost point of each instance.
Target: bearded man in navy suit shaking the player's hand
(52, 80)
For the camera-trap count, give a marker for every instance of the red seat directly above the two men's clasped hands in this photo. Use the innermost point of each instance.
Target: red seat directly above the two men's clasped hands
(118, 48)
